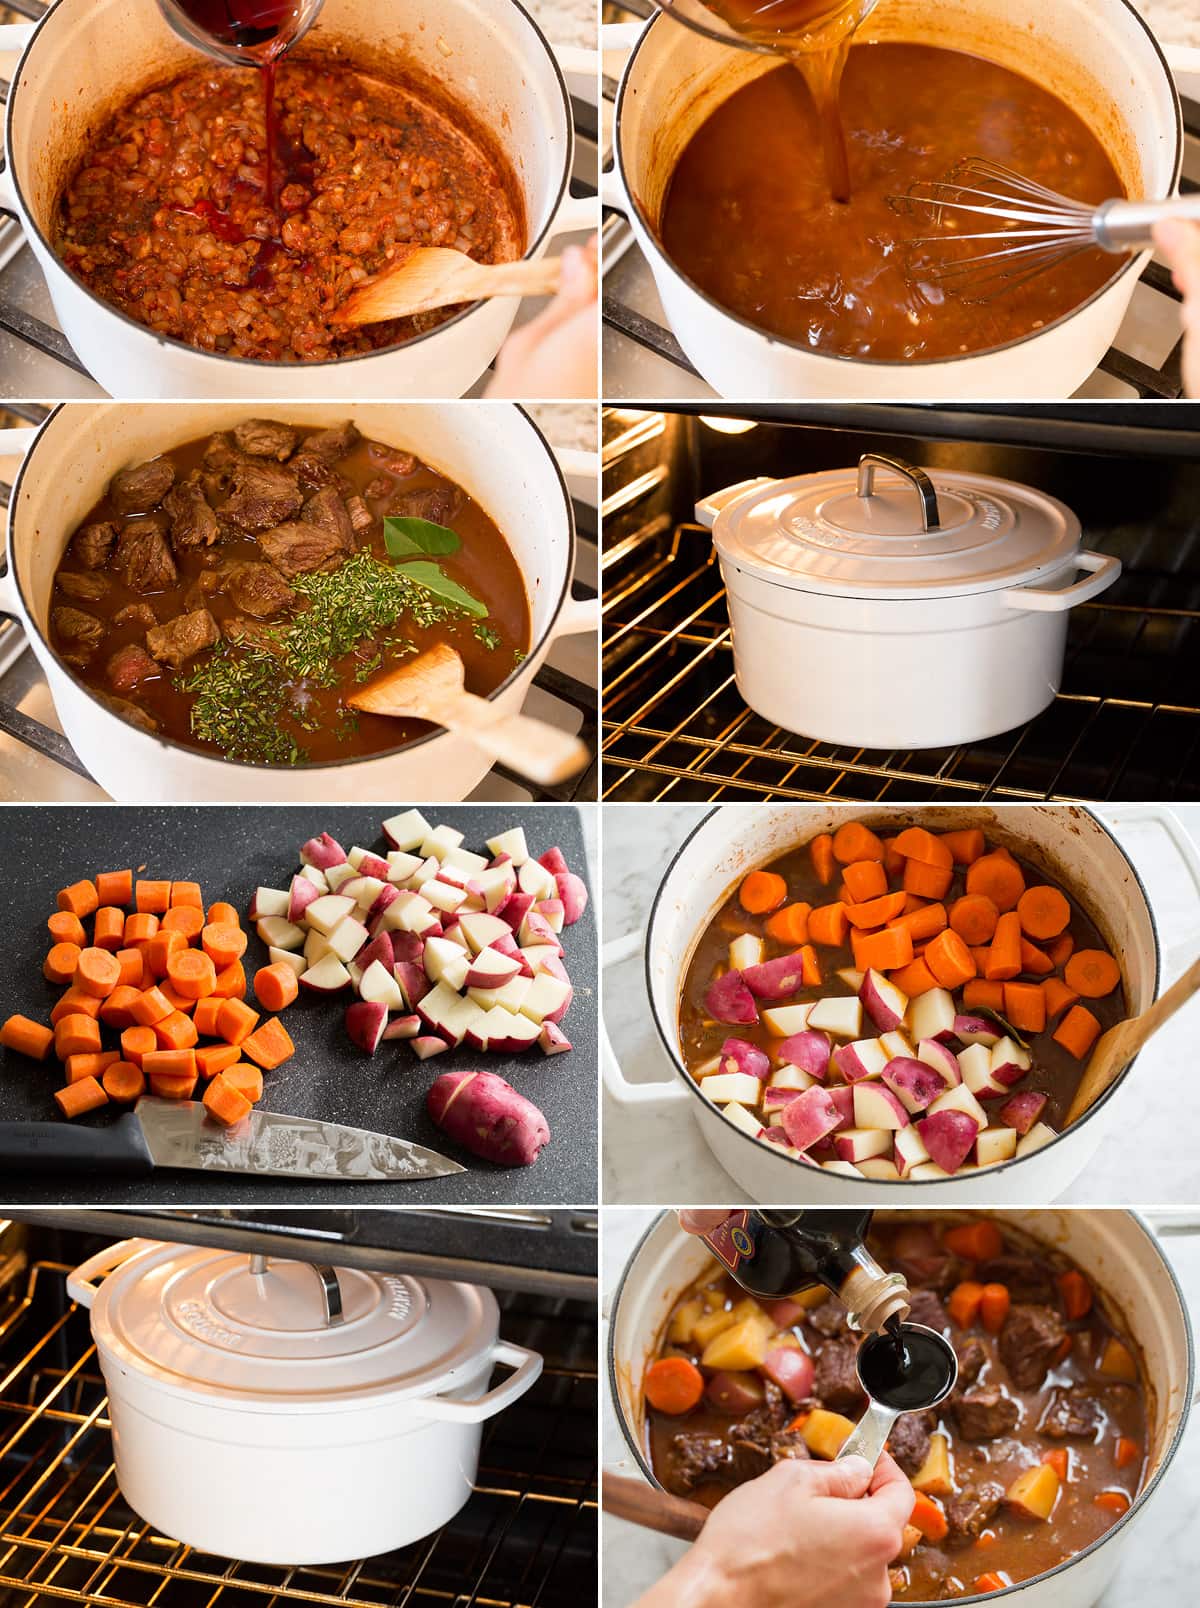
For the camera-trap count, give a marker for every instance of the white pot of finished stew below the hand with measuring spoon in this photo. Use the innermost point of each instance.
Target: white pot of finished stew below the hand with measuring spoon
(1117, 1250)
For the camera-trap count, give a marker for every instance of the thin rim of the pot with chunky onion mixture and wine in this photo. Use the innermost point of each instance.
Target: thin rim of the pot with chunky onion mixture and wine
(269, 366)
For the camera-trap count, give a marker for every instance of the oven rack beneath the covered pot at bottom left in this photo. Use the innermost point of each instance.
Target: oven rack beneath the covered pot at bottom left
(527, 1538)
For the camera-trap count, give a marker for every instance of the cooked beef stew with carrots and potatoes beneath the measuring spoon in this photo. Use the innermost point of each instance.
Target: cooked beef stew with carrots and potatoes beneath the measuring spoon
(1035, 1456)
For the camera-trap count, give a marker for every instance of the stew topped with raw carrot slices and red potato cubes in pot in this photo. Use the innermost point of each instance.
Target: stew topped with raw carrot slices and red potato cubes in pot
(898, 1006)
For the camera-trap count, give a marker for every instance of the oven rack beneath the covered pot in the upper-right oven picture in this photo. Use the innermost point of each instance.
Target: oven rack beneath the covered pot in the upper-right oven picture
(675, 726)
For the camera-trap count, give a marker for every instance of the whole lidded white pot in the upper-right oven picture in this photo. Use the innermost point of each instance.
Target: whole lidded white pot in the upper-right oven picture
(897, 578)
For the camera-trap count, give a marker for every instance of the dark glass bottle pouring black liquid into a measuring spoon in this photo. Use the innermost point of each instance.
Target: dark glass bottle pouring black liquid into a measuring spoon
(783, 1253)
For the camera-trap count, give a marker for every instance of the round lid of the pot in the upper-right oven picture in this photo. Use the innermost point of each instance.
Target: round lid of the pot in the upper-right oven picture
(894, 531)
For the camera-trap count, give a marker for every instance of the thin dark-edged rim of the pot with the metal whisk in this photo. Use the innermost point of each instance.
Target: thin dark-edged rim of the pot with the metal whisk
(950, 364)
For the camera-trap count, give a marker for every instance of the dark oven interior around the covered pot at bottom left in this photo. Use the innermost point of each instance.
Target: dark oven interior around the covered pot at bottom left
(528, 1536)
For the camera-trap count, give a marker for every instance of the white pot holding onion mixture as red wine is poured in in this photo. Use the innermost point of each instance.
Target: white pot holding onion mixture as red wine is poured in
(86, 59)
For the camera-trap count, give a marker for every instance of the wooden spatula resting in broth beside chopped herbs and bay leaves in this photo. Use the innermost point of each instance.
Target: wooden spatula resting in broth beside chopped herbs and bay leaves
(432, 687)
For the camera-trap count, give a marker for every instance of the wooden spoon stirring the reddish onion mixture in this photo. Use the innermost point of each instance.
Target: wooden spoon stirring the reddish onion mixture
(440, 277)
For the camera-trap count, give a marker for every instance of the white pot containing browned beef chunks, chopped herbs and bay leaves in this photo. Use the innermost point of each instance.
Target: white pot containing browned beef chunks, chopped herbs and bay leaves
(493, 449)
